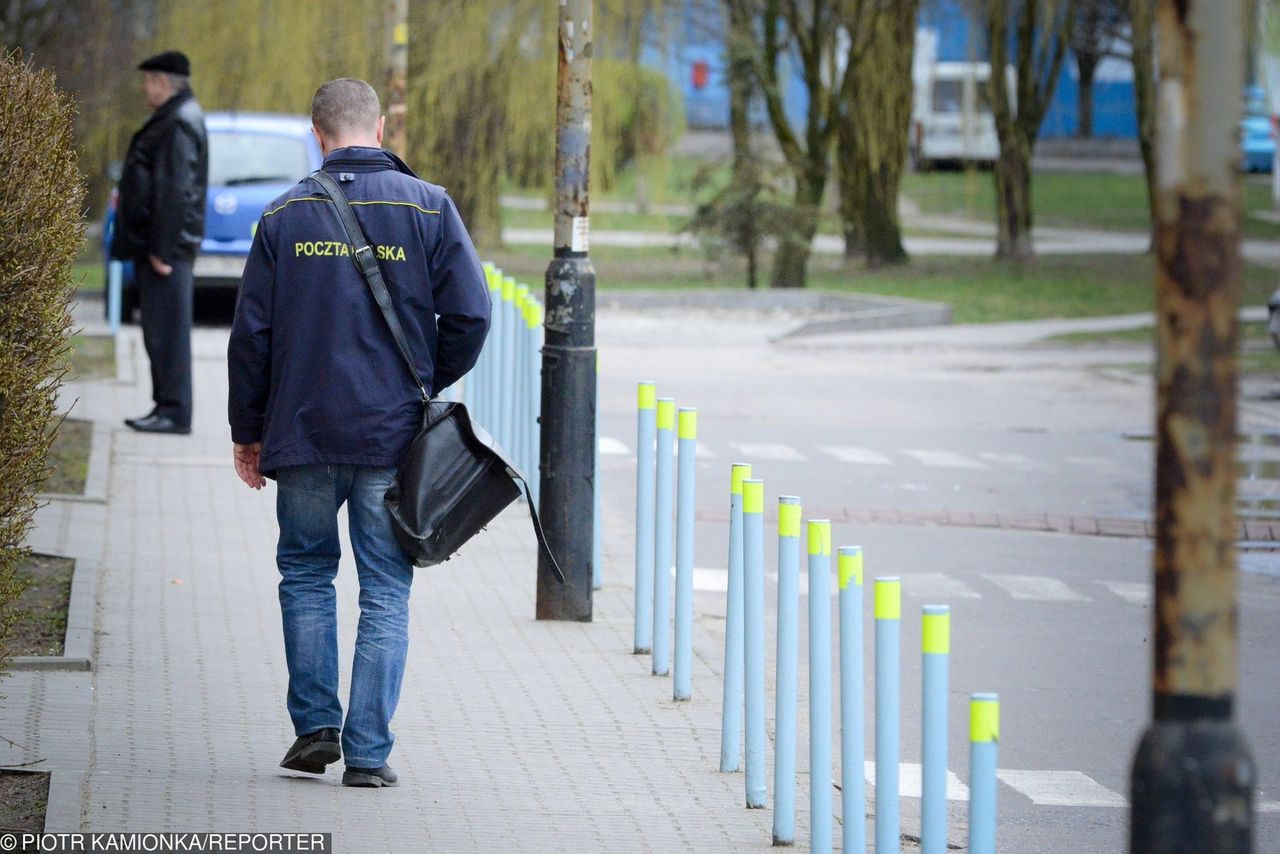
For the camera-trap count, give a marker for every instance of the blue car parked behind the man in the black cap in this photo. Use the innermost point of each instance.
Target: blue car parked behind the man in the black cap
(253, 159)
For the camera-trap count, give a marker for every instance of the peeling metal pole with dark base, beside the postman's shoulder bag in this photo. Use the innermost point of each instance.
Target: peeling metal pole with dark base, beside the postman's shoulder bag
(568, 460)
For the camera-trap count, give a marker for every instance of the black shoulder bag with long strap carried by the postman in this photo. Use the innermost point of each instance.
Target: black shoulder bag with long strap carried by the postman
(455, 478)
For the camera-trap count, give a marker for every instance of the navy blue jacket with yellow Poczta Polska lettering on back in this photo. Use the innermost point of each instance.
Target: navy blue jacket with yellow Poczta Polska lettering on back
(316, 375)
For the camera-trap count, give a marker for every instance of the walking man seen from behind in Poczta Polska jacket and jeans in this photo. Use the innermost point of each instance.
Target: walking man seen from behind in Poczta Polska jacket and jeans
(322, 401)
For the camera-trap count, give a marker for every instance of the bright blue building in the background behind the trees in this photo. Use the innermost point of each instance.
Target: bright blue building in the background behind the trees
(696, 63)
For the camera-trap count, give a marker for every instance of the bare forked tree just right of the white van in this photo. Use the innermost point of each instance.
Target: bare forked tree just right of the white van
(1041, 33)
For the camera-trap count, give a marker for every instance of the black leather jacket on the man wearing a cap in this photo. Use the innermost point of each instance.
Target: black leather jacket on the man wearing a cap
(162, 204)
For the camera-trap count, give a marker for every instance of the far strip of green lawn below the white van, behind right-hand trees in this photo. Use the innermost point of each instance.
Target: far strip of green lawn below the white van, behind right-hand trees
(1071, 200)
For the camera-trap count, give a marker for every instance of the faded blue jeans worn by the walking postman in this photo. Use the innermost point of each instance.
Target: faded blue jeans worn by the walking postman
(308, 503)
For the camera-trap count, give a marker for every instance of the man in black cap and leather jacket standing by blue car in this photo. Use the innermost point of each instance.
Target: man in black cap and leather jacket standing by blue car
(161, 223)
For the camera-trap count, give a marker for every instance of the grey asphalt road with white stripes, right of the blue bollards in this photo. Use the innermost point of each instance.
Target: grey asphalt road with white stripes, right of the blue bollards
(920, 423)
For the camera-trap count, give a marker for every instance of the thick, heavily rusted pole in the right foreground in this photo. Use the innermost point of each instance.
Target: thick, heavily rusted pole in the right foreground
(1192, 782)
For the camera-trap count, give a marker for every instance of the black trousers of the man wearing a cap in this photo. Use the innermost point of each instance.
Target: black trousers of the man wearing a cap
(166, 303)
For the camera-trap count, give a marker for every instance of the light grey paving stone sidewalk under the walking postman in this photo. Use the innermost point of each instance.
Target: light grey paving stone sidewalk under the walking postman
(513, 734)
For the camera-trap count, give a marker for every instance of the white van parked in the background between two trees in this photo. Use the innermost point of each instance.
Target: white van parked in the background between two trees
(952, 120)
